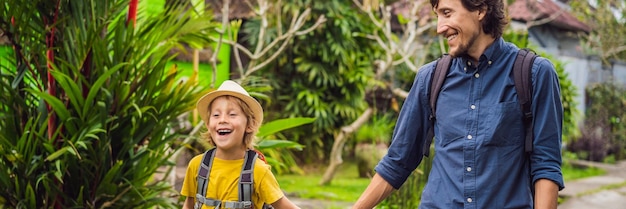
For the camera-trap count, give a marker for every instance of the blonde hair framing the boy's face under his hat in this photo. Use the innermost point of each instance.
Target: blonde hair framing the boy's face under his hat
(249, 138)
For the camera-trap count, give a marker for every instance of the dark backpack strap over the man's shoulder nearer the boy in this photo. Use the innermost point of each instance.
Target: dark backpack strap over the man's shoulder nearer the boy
(438, 77)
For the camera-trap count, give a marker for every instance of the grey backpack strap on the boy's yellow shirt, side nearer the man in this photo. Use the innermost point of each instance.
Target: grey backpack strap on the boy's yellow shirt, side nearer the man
(246, 180)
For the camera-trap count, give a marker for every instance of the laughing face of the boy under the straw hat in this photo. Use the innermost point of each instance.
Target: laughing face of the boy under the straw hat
(228, 124)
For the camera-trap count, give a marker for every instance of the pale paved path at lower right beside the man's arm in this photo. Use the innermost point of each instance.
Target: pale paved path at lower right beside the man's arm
(598, 192)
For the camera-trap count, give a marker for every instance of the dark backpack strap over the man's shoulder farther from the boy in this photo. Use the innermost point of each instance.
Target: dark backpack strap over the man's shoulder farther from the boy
(522, 69)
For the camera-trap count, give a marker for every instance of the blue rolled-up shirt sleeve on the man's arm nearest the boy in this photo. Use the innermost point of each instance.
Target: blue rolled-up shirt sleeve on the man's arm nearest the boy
(406, 150)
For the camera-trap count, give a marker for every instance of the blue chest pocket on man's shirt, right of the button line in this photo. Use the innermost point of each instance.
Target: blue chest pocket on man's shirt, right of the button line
(503, 125)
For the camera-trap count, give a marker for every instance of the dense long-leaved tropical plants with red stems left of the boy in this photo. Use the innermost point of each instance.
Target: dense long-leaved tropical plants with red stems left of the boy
(87, 102)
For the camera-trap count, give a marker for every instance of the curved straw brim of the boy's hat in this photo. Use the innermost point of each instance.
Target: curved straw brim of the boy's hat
(204, 102)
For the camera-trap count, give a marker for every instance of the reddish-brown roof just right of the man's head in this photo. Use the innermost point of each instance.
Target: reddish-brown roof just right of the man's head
(536, 10)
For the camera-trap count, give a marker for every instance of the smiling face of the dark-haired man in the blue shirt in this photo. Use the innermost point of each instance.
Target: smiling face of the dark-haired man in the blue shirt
(461, 27)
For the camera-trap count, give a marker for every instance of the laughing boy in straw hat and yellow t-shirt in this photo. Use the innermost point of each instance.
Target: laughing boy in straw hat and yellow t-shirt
(232, 118)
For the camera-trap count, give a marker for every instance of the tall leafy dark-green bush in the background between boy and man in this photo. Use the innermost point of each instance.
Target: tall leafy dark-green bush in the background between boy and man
(321, 74)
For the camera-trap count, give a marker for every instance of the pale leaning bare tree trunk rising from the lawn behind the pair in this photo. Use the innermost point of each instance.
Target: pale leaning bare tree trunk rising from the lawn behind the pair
(340, 141)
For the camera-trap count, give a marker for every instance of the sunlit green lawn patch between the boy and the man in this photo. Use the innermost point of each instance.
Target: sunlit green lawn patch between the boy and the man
(346, 185)
